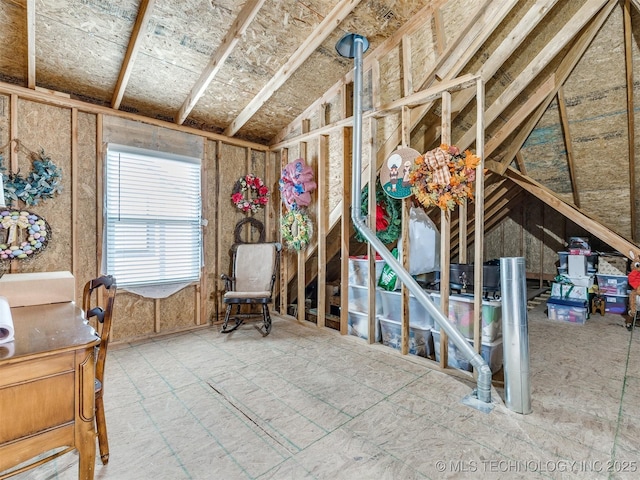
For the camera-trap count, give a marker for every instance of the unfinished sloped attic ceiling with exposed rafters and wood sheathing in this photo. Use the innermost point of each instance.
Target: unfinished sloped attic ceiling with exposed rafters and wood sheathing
(561, 76)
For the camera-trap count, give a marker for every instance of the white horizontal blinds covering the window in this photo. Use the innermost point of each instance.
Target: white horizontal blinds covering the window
(153, 209)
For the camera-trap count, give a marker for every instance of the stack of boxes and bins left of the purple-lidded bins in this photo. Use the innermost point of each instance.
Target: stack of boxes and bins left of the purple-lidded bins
(569, 300)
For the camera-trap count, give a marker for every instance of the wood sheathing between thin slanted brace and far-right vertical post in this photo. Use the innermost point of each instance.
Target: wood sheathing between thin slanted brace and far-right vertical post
(595, 95)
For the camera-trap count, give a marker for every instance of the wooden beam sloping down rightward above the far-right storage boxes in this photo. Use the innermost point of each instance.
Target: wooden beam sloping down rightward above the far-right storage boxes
(621, 244)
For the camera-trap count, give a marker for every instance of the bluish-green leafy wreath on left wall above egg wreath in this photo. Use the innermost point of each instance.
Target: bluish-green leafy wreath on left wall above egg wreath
(43, 181)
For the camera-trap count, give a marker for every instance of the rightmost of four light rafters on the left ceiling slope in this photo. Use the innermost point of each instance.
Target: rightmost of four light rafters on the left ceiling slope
(342, 9)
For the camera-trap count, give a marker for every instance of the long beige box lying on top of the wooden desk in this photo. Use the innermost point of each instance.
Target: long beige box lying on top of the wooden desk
(22, 289)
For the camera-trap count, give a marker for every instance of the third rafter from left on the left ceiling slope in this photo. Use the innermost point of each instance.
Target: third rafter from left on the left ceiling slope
(230, 40)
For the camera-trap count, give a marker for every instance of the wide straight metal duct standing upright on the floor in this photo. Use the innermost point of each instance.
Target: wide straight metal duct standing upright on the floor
(515, 334)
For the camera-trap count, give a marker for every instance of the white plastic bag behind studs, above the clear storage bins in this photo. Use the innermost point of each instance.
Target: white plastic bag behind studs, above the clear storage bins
(424, 243)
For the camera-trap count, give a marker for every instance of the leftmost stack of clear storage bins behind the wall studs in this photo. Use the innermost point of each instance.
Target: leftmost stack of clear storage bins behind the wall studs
(359, 296)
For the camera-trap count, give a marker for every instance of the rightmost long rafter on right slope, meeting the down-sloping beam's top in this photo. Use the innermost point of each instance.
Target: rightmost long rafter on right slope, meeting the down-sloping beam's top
(564, 70)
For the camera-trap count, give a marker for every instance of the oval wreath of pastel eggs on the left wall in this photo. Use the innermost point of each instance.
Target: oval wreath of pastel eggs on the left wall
(22, 234)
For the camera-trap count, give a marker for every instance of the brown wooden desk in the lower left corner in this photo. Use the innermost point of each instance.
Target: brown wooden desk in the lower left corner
(47, 388)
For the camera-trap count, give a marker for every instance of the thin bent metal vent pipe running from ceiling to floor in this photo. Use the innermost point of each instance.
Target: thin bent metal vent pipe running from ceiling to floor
(353, 46)
